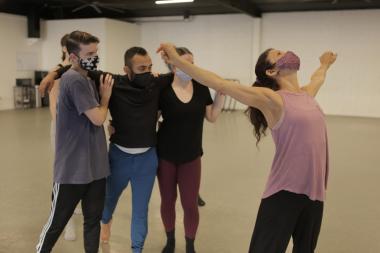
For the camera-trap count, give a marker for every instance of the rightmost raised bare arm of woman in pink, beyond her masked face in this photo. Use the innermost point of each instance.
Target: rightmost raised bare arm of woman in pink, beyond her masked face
(319, 76)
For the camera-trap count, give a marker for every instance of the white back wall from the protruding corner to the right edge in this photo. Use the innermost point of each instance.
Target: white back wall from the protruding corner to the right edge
(229, 45)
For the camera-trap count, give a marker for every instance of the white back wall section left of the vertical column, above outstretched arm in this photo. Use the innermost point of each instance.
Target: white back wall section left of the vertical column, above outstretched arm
(221, 43)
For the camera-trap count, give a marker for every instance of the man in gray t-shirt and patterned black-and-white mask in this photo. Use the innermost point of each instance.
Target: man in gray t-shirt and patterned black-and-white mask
(81, 161)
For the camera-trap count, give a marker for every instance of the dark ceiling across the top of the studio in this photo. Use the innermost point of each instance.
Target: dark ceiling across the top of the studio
(124, 9)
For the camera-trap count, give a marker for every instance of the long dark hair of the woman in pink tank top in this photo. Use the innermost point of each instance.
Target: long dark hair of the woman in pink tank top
(262, 80)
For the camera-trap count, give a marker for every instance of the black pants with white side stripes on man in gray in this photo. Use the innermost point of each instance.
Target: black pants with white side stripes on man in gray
(65, 198)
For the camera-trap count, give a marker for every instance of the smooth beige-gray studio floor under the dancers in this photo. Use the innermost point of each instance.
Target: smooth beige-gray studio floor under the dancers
(233, 179)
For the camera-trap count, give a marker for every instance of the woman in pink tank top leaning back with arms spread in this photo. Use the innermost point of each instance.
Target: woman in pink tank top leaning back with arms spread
(292, 204)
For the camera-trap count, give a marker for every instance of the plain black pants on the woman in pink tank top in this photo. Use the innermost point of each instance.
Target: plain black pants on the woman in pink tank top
(284, 215)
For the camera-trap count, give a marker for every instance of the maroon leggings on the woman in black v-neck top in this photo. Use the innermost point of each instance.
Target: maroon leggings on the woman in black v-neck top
(188, 177)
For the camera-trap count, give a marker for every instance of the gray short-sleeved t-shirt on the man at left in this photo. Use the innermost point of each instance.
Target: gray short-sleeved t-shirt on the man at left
(80, 148)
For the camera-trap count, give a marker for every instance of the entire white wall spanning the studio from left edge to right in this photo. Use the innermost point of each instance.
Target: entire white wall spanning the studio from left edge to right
(228, 45)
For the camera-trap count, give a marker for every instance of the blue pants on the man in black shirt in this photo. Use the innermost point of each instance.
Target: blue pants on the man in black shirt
(140, 170)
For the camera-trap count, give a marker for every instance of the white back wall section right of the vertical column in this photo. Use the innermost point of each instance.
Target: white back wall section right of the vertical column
(352, 87)
